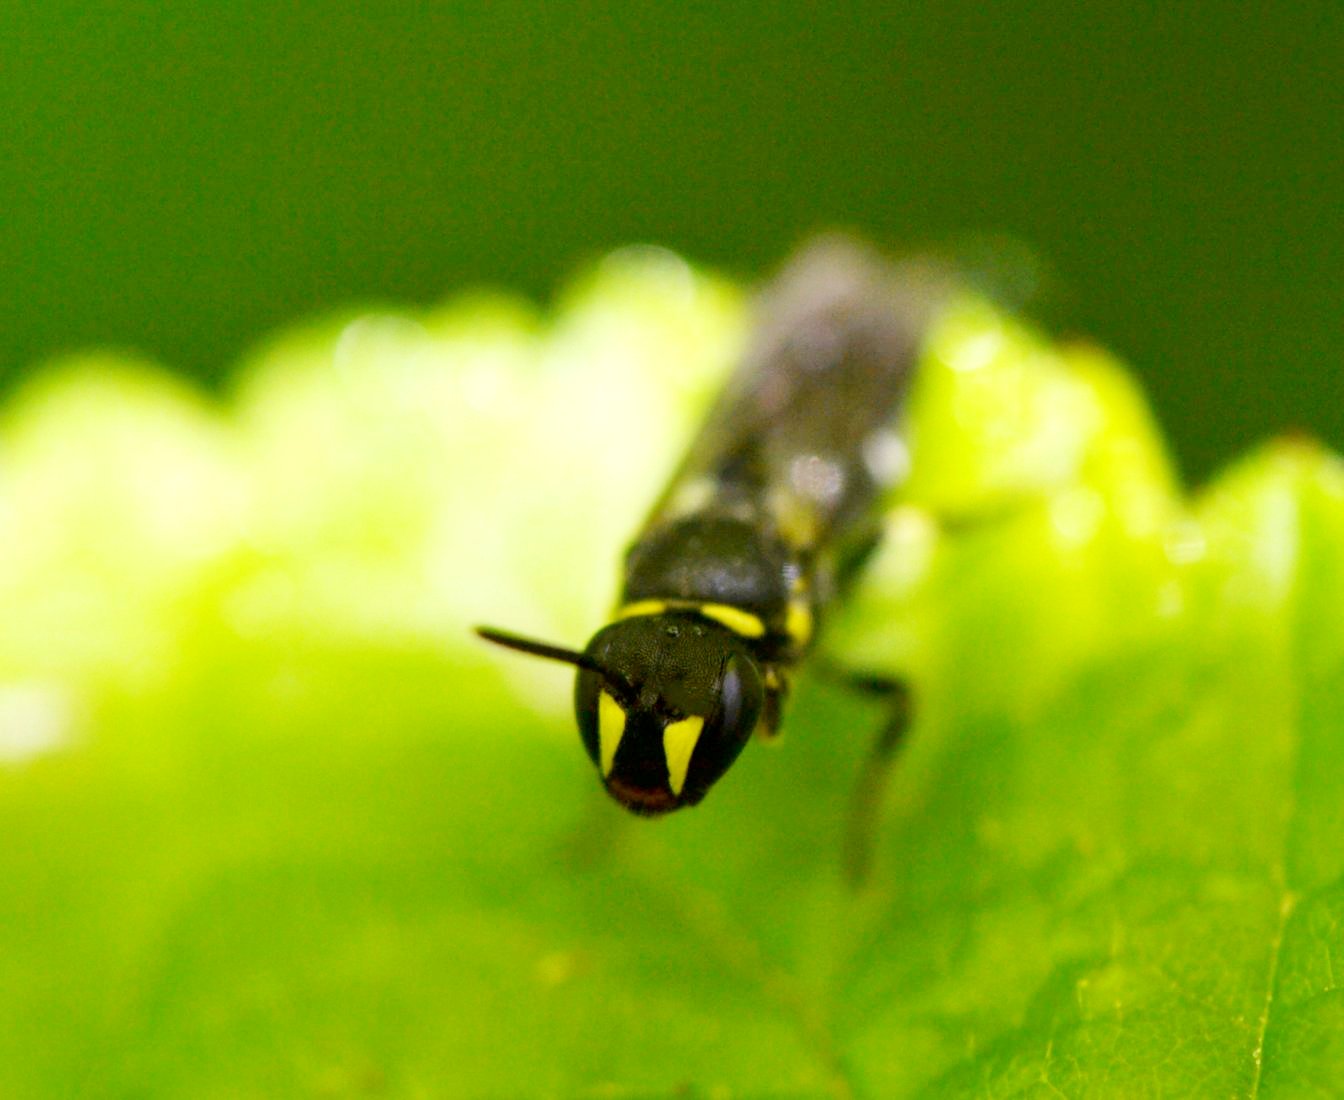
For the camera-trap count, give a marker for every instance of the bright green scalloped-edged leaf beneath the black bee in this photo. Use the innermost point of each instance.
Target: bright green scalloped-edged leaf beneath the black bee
(275, 825)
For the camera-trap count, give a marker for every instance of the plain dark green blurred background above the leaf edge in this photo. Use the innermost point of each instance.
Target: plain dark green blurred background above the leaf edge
(182, 178)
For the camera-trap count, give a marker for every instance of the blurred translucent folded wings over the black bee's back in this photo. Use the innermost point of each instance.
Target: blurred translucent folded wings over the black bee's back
(808, 426)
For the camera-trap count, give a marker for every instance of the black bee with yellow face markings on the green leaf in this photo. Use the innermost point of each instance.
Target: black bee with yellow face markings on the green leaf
(772, 513)
